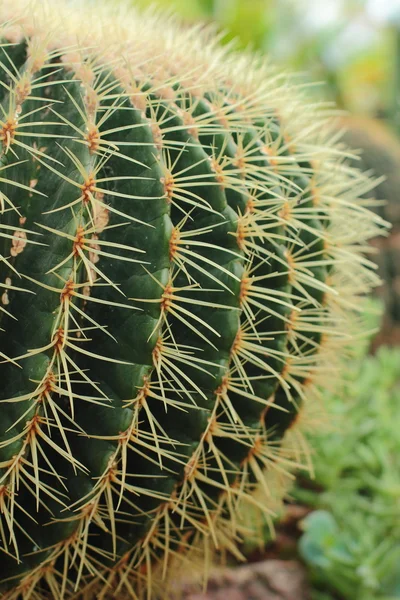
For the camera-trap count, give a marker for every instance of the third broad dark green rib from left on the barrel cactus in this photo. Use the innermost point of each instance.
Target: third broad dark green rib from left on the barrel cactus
(222, 221)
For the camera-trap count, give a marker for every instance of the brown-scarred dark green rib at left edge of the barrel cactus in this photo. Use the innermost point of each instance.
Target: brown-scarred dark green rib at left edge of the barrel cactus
(24, 334)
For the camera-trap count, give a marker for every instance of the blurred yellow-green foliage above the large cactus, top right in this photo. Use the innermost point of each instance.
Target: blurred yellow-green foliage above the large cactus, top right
(351, 52)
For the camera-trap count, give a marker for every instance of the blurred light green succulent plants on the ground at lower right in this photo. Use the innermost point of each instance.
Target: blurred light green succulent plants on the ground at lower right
(352, 541)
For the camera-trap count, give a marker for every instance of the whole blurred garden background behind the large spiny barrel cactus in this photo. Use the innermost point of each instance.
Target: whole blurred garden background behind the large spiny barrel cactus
(341, 527)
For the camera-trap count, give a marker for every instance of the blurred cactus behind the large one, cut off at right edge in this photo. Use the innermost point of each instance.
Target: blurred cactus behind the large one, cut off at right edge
(379, 152)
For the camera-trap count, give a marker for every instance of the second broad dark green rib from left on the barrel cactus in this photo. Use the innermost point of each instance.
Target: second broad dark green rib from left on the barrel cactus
(137, 331)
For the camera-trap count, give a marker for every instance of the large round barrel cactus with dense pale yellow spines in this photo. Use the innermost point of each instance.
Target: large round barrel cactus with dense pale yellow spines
(181, 268)
